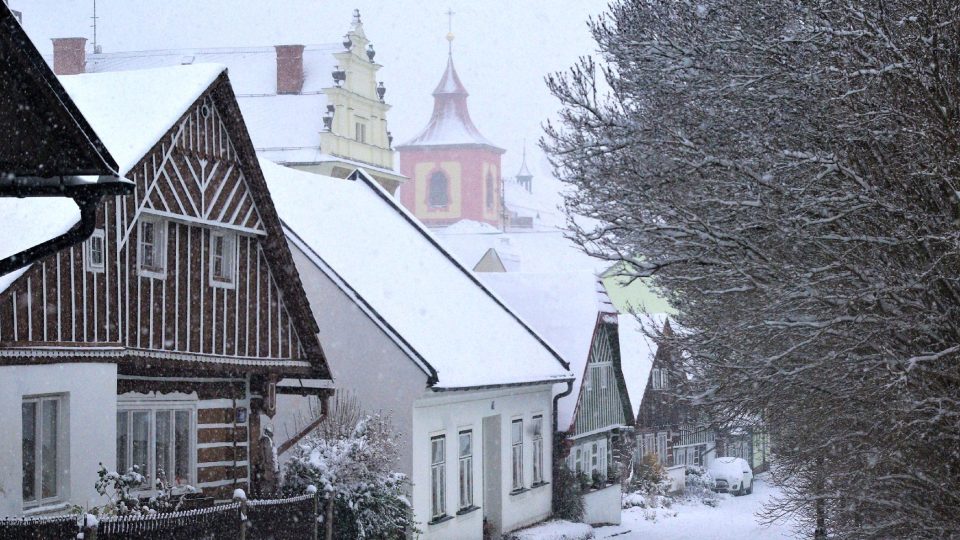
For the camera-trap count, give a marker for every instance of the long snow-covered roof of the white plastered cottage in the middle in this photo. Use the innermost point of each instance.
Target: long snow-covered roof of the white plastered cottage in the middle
(462, 330)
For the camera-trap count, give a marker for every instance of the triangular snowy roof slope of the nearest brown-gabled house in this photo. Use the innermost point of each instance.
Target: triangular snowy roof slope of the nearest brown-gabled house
(132, 110)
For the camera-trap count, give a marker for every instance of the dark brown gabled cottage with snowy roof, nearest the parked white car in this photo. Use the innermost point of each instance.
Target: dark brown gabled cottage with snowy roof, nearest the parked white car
(673, 432)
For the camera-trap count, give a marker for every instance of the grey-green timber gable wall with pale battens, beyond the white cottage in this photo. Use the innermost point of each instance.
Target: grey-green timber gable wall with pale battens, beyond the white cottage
(600, 407)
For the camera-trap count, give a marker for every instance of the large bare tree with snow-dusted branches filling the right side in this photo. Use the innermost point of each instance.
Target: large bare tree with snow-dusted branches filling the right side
(786, 174)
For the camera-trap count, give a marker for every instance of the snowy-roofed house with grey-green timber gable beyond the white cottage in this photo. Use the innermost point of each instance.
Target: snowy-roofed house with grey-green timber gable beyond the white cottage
(573, 313)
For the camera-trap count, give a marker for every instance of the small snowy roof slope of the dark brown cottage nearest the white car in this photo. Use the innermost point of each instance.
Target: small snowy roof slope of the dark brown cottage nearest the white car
(637, 351)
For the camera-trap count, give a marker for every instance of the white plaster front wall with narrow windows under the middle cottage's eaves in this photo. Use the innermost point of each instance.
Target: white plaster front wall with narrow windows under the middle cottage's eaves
(449, 413)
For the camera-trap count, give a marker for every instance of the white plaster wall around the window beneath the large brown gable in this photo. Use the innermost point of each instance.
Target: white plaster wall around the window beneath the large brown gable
(89, 418)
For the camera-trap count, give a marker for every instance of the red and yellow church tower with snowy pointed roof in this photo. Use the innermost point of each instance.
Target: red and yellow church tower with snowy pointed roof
(454, 171)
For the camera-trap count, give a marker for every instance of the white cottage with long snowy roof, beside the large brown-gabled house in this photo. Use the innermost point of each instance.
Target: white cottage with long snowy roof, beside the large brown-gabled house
(411, 331)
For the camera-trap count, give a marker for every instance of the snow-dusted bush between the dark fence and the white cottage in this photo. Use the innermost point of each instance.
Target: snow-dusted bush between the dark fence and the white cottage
(353, 469)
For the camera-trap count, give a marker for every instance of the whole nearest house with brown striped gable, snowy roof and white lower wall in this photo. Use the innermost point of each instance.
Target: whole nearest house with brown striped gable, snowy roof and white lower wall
(160, 341)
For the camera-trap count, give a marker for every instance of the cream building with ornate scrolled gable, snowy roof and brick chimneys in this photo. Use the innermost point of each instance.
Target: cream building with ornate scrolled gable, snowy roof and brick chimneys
(316, 107)
